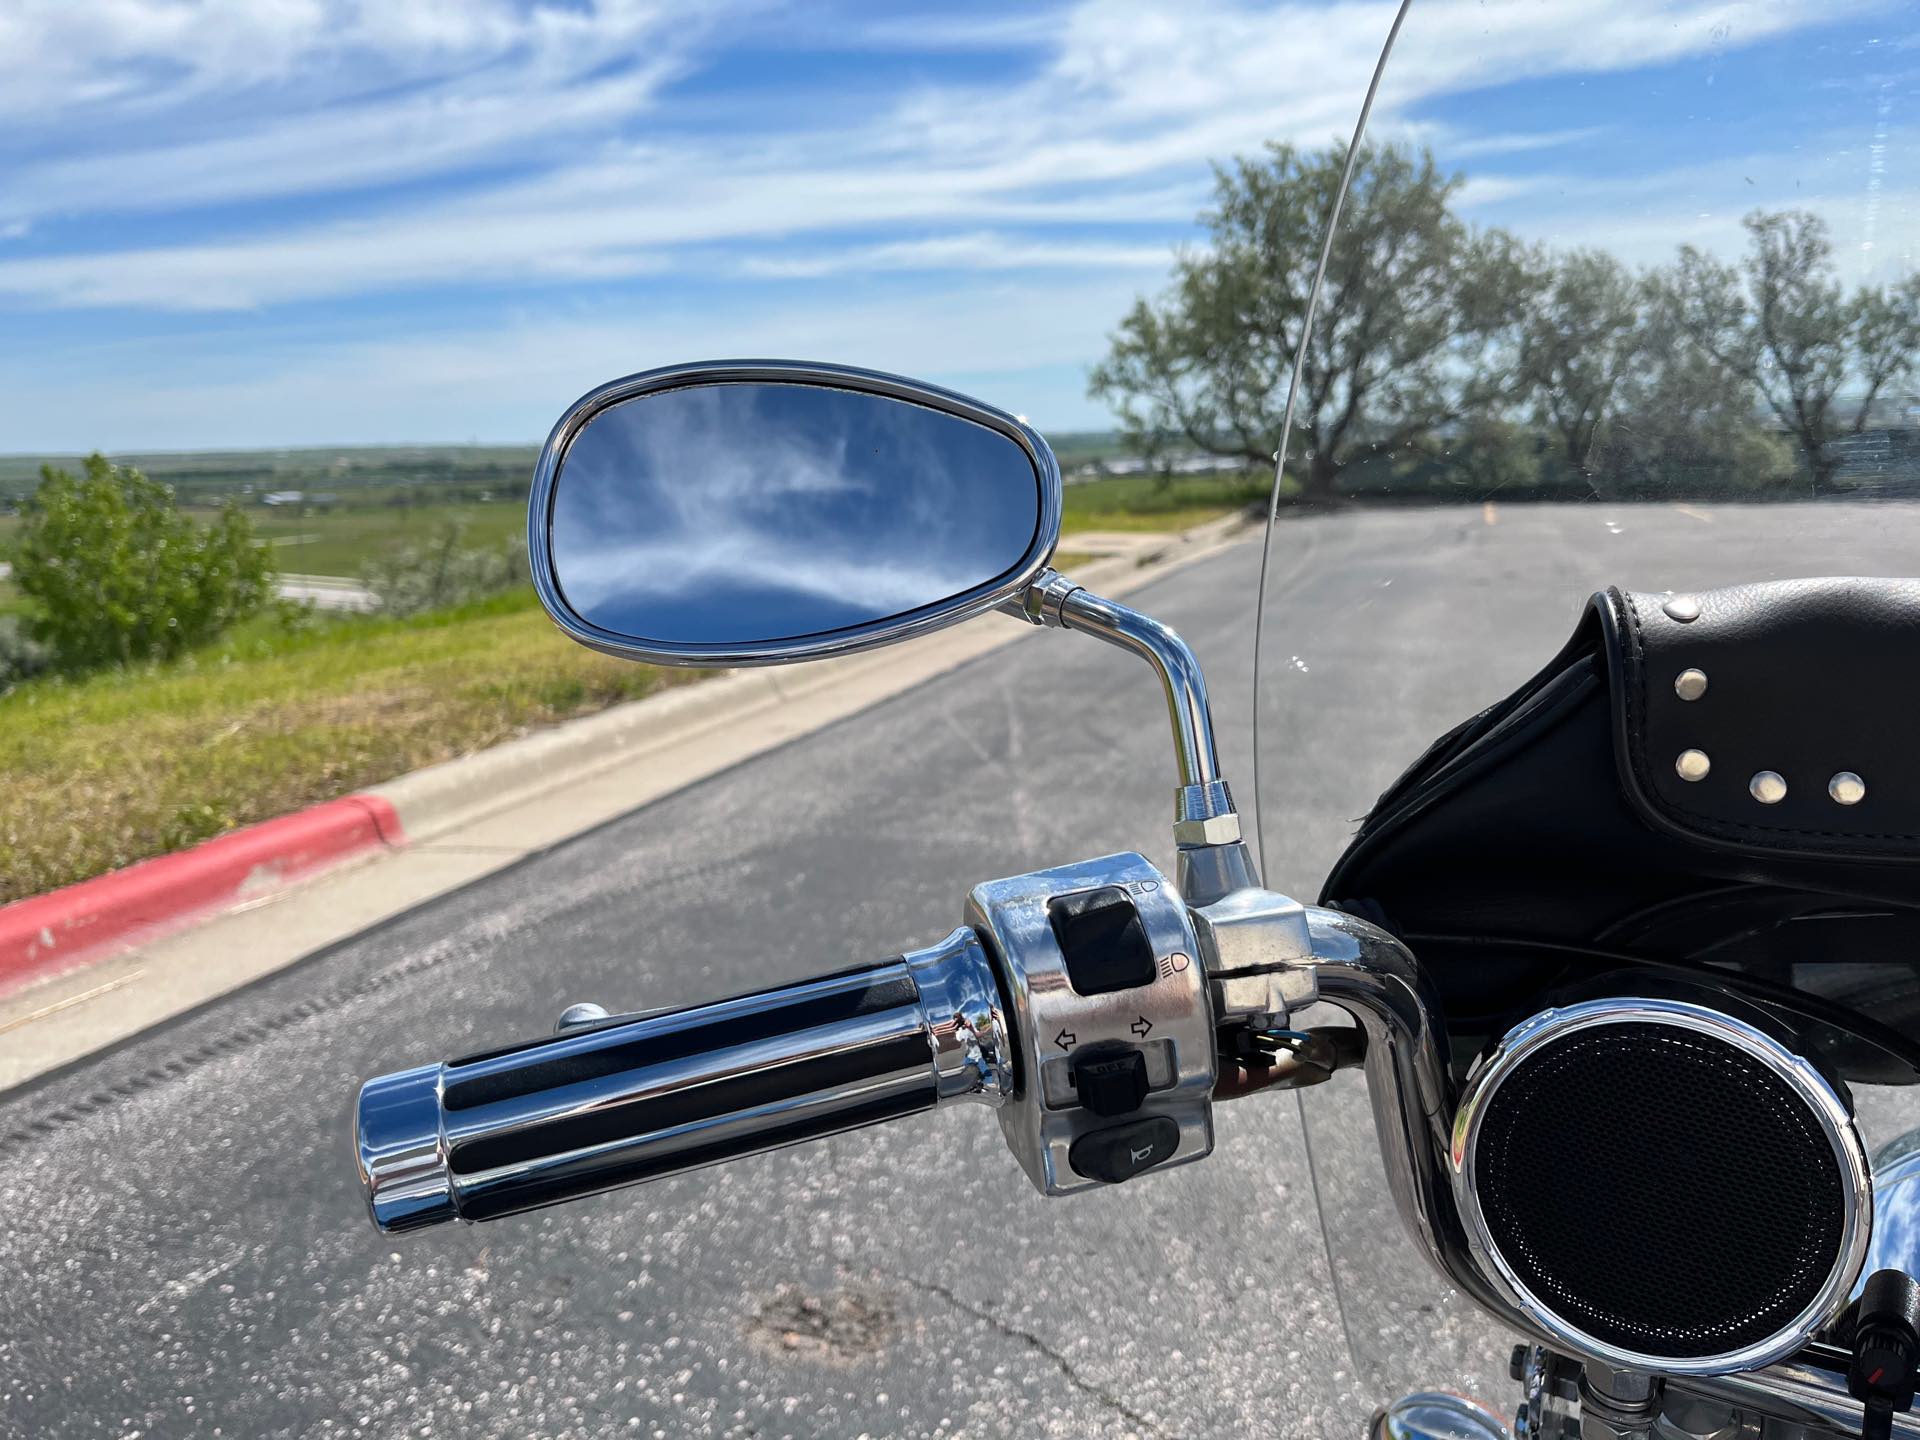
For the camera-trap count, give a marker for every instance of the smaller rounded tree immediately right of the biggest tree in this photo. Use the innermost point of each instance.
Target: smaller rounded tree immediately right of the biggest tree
(1579, 339)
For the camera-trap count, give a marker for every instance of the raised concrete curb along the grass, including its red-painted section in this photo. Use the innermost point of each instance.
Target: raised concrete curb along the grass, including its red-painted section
(76, 926)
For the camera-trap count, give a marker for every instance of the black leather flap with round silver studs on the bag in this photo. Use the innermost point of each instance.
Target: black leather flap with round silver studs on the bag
(1798, 679)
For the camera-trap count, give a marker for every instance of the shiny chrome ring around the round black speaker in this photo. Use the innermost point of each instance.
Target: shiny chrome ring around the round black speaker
(1821, 1099)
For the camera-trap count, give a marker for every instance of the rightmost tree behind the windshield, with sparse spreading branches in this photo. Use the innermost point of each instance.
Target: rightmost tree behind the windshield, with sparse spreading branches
(1783, 322)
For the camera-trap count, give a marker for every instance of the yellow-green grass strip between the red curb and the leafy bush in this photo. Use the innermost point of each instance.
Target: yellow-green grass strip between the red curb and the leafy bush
(124, 765)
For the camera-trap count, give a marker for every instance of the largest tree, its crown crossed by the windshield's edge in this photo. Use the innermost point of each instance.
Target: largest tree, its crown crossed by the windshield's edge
(1408, 339)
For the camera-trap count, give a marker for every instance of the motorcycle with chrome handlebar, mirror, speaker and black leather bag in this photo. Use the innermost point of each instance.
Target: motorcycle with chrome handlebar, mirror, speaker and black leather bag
(1581, 953)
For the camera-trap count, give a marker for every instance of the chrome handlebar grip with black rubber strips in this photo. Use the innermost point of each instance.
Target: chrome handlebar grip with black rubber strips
(636, 1099)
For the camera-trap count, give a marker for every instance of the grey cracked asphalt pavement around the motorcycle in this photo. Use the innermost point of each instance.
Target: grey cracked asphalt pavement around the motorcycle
(183, 1247)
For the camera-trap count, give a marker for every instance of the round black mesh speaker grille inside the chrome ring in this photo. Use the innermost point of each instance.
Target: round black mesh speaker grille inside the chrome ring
(1660, 1189)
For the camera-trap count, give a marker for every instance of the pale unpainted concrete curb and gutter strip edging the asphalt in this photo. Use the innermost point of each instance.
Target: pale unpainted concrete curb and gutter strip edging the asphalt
(477, 815)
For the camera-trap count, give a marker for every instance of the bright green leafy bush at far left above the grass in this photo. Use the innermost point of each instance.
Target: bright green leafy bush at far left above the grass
(120, 575)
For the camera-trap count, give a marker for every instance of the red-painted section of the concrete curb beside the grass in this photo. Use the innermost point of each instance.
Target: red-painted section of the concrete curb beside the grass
(72, 926)
